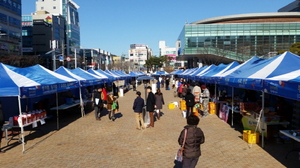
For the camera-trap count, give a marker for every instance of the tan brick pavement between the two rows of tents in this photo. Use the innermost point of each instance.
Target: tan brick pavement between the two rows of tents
(86, 142)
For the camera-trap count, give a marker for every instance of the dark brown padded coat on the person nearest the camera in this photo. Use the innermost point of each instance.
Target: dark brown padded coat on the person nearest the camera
(194, 138)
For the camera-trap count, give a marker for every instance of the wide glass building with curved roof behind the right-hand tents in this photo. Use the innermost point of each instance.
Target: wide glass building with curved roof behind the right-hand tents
(239, 37)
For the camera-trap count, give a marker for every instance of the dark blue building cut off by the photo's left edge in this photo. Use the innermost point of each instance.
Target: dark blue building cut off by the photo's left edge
(10, 28)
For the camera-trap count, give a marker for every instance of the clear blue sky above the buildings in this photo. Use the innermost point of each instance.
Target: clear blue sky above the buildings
(112, 25)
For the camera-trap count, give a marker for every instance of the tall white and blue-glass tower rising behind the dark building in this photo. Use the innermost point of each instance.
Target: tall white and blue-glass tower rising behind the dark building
(68, 9)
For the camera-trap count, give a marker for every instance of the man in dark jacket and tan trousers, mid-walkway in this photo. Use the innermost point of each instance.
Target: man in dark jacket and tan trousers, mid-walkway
(138, 106)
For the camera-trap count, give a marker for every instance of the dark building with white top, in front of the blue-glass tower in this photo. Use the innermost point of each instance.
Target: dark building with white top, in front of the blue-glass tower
(43, 32)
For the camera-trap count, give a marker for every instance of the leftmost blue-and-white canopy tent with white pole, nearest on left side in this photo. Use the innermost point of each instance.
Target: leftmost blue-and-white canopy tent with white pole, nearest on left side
(12, 85)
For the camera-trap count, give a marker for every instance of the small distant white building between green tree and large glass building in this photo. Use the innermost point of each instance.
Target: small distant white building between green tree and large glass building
(164, 50)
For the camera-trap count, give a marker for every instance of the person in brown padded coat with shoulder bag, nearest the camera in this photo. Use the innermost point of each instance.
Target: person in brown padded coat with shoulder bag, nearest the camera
(193, 140)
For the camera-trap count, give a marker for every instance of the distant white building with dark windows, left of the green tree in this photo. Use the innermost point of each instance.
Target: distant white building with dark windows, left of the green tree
(138, 54)
